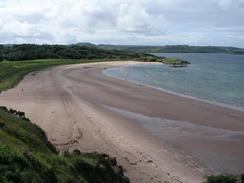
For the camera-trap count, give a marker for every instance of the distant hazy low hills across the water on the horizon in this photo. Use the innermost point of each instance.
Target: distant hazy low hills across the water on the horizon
(173, 49)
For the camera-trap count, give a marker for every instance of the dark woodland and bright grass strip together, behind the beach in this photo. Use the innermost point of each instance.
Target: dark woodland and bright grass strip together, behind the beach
(13, 64)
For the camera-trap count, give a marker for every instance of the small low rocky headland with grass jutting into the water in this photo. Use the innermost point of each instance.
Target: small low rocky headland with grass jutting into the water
(172, 62)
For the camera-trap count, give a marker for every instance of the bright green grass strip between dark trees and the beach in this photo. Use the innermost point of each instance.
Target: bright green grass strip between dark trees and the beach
(11, 72)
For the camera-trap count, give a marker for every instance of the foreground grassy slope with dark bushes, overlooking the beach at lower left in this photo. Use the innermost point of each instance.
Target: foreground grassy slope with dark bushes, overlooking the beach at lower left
(27, 156)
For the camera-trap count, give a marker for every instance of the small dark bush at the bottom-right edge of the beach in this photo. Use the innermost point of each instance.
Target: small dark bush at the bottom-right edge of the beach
(221, 179)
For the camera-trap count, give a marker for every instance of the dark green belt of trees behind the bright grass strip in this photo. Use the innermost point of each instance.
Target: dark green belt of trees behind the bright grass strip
(32, 52)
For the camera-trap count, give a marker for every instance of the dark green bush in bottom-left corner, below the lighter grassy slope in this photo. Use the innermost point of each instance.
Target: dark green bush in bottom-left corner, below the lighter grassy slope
(23, 167)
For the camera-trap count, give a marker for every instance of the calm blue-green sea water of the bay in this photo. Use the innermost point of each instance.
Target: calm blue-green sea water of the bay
(217, 78)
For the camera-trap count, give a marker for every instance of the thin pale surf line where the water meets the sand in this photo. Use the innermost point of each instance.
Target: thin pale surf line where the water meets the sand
(219, 104)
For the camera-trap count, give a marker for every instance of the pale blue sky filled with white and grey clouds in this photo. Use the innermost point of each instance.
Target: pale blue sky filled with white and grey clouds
(134, 22)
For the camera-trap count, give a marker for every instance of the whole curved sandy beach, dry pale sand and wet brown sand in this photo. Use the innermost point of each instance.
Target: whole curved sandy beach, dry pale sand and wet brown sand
(156, 136)
